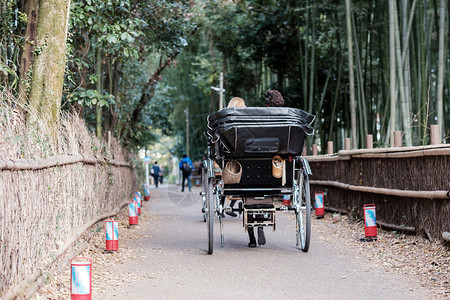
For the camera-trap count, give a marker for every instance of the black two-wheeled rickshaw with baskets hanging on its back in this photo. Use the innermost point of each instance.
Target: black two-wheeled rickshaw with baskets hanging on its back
(258, 151)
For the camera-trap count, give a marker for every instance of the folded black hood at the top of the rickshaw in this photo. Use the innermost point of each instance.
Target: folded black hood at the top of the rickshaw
(253, 132)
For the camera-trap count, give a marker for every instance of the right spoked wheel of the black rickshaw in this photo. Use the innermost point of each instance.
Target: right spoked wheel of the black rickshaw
(304, 214)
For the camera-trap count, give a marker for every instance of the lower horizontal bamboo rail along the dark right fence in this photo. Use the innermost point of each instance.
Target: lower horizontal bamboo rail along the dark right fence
(384, 191)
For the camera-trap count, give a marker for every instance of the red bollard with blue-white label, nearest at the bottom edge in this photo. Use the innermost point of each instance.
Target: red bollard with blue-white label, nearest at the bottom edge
(81, 278)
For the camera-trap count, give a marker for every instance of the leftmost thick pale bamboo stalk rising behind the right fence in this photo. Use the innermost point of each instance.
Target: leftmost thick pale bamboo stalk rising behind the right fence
(351, 74)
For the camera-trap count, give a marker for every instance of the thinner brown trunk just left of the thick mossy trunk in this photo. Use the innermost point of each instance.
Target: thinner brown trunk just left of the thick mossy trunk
(31, 9)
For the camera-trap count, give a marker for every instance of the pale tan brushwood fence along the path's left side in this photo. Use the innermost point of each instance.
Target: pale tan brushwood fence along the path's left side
(44, 205)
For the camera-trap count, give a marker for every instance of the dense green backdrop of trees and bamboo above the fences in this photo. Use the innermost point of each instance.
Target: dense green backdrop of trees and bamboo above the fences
(362, 66)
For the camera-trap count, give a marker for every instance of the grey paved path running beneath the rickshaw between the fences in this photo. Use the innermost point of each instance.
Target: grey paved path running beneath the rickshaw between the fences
(172, 261)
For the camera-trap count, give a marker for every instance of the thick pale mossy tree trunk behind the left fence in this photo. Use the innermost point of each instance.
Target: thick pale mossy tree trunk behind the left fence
(49, 63)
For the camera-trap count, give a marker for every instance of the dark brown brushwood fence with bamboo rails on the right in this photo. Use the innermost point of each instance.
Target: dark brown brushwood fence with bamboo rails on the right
(409, 186)
